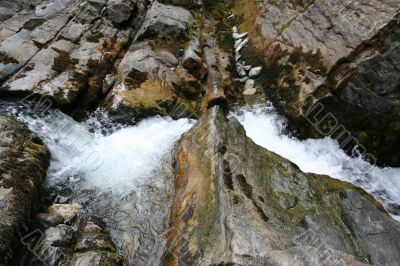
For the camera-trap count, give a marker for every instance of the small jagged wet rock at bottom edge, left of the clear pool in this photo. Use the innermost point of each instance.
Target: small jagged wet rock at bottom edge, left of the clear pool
(89, 244)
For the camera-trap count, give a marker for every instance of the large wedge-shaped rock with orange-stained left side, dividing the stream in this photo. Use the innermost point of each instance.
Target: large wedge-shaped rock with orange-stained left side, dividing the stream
(239, 204)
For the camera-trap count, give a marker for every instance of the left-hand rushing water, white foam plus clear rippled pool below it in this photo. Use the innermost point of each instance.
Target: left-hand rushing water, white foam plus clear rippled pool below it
(122, 174)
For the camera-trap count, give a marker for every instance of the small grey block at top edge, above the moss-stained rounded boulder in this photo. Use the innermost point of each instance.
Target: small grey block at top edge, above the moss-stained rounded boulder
(164, 21)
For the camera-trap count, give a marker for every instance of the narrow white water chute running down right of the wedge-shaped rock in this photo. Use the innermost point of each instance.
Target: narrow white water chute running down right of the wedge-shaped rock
(321, 156)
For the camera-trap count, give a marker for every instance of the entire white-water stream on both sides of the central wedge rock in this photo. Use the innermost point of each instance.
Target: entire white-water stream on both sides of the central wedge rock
(124, 174)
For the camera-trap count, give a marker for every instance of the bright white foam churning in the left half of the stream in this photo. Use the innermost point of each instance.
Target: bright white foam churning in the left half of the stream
(117, 161)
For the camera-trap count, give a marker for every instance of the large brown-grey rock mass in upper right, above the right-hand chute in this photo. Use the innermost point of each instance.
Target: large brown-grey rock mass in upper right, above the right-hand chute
(339, 56)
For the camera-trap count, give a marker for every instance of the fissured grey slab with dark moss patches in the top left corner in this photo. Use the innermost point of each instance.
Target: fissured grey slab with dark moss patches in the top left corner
(65, 50)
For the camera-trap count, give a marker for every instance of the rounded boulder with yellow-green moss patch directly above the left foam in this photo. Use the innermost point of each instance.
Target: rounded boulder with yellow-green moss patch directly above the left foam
(146, 84)
